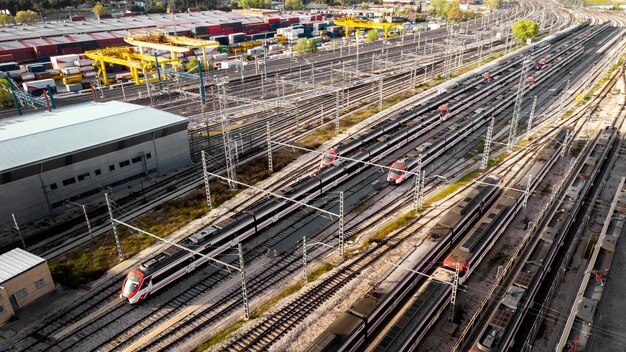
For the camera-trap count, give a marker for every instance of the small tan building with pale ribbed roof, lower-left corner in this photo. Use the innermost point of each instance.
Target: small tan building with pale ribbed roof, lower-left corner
(24, 277)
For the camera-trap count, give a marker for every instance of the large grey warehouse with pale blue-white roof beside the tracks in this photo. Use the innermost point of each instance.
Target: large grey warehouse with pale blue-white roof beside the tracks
(79, 153)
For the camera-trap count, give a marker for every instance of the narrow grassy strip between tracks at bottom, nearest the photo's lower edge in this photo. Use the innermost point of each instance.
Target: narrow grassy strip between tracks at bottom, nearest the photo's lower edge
(265, 307)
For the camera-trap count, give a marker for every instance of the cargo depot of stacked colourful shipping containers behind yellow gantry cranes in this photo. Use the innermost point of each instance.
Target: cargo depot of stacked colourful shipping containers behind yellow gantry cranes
(38, 55)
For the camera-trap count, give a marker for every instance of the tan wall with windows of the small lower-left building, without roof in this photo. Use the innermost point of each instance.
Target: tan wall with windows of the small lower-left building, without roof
(23, 289)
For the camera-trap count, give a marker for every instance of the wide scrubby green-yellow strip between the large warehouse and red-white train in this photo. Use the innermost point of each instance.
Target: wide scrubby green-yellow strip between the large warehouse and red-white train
(91, 261)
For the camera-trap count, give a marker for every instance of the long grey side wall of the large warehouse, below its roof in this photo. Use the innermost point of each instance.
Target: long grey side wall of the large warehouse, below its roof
(81, 182)
